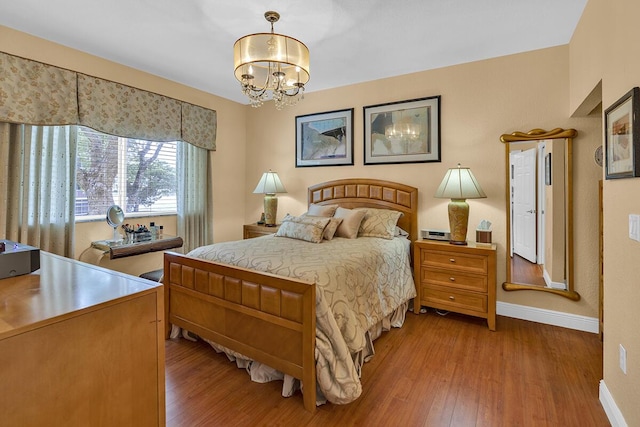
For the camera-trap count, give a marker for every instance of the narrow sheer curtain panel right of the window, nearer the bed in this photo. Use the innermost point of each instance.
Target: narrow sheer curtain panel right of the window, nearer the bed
(194, 204)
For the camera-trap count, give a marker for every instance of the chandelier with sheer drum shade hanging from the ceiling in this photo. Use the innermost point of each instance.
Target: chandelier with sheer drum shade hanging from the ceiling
(271, 66)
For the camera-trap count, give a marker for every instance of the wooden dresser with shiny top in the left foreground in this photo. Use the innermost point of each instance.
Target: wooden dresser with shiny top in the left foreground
(81, 345)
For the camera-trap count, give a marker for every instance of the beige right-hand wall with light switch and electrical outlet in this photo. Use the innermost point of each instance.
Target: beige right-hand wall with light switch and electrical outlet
(605, 47)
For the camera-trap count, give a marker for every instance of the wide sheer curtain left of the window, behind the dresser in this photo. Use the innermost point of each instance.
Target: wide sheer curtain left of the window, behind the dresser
(37, 186)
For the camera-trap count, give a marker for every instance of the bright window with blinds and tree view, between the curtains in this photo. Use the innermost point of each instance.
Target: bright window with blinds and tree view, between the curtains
(137, 175)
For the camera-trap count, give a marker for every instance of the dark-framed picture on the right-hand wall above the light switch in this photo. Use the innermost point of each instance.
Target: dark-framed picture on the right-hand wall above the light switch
(622, 136)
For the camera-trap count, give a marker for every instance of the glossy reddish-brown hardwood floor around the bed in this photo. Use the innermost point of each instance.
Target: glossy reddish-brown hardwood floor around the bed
(435, 371)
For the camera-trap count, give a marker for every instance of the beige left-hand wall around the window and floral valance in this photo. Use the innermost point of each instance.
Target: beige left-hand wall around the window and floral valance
(228, 160)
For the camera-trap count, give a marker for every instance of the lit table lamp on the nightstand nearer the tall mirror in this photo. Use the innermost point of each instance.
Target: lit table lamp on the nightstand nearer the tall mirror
(458, 185)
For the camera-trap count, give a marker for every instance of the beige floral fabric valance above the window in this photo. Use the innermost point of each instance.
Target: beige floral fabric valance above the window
(40, 94)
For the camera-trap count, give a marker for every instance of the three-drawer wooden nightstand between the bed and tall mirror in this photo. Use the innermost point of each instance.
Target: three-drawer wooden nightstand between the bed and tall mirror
(456, 278)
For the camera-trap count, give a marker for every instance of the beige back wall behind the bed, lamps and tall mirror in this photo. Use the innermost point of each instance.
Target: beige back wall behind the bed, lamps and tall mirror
(480, 101)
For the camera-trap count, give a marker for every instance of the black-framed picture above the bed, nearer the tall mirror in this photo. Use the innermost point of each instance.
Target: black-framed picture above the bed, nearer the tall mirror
(402, 132)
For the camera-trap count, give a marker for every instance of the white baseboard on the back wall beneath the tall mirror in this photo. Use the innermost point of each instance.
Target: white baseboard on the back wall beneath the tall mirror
(548, 317)
